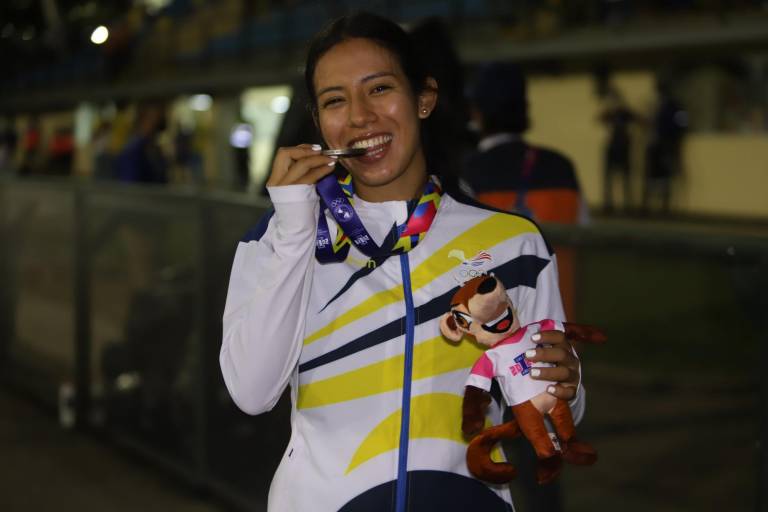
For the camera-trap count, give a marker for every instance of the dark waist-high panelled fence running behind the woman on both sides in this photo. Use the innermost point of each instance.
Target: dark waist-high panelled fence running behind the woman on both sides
(111, 302)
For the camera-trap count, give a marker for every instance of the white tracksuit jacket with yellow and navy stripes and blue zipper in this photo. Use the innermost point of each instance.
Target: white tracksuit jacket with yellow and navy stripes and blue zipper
(376, 390)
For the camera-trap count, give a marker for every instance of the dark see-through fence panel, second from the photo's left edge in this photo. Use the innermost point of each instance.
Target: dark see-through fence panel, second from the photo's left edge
(144, 317)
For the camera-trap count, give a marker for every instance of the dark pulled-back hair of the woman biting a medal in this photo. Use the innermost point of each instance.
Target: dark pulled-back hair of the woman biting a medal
(365, 25)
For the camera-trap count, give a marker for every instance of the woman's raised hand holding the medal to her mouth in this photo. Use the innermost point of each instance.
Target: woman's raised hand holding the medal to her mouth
(301, 164)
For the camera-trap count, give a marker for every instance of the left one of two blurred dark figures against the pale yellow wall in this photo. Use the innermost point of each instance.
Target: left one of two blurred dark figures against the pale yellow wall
(617, 117)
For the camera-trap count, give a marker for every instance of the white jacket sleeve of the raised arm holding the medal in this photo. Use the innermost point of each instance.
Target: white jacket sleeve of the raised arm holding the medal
(267, 300)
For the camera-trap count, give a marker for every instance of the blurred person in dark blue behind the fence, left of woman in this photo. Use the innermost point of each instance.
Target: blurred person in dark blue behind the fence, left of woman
(142, 160)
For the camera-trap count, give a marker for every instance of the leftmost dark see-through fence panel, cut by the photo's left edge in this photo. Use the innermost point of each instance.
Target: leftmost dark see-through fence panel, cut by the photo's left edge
(38, 283)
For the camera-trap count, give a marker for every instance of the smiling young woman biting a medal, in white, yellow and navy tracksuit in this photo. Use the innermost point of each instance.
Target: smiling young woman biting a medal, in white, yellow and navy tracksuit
(376, 390)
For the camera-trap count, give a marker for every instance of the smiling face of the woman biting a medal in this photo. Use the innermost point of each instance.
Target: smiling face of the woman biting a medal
(365, 100)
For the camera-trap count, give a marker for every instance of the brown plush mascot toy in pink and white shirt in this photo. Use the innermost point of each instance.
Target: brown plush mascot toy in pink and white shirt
(482, 310)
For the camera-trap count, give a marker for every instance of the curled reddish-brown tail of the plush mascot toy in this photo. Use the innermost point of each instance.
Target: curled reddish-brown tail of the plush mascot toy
(479, 460)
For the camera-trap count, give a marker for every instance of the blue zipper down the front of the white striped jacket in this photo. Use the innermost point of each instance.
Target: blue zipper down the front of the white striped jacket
(402, 464)
